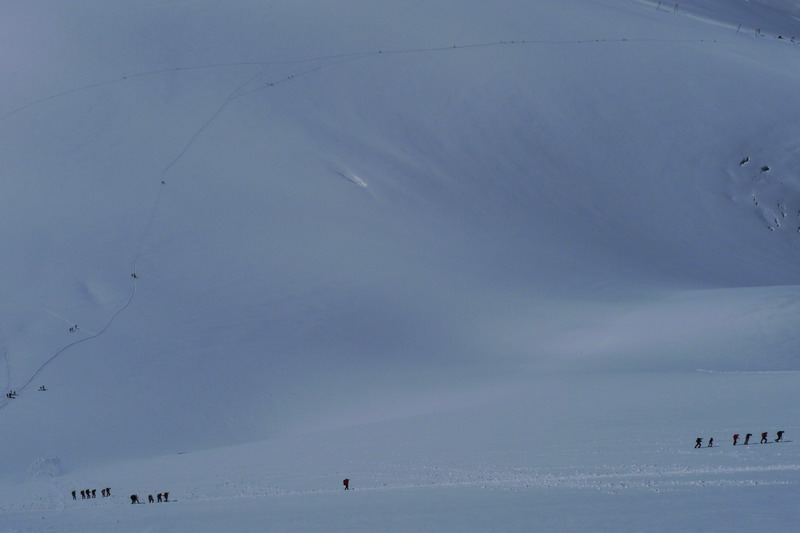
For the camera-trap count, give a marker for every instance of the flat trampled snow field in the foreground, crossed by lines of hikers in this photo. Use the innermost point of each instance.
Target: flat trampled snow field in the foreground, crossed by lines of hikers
(526, 455)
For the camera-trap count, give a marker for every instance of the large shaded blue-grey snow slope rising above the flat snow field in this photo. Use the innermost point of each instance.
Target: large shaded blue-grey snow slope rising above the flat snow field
(327, 206)
